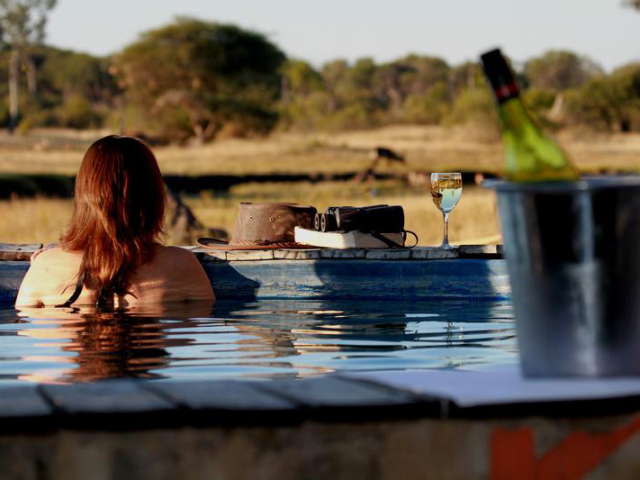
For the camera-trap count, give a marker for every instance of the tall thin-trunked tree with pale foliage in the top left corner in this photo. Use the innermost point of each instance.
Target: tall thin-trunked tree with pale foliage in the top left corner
(22, 24)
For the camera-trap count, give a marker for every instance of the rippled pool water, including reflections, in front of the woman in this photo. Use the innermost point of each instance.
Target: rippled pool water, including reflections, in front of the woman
(260, 340)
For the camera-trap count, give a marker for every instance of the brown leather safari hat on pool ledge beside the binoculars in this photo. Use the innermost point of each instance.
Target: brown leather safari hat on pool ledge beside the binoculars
(265, 226)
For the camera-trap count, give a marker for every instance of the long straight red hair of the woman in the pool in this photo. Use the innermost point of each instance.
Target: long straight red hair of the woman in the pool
(118, 214)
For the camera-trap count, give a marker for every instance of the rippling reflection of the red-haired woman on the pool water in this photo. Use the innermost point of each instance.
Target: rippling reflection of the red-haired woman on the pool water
(108, 344)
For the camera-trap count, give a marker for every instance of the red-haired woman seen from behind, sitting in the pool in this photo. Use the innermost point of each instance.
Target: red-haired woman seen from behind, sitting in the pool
(109, 254)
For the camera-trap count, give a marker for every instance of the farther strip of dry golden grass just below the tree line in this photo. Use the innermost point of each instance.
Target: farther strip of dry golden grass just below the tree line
(424, 147)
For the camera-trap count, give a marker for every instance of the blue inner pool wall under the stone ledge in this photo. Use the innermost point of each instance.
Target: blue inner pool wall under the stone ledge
(334, 279)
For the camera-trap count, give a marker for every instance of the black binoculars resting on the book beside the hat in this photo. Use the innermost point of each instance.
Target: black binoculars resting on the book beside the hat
(376, 218)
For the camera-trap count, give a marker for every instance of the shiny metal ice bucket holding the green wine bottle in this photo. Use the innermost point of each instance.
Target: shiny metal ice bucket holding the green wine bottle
(573, 254)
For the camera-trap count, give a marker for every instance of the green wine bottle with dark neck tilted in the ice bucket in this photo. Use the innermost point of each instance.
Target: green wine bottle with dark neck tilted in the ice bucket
(530, 155)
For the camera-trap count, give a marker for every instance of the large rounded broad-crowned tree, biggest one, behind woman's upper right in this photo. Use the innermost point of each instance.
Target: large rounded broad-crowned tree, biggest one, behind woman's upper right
(191, 78)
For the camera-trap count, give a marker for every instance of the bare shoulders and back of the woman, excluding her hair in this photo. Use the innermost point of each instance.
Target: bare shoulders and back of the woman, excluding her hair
(173, 274)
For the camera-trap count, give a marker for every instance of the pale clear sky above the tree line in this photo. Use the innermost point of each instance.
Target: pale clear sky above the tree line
(322, 30)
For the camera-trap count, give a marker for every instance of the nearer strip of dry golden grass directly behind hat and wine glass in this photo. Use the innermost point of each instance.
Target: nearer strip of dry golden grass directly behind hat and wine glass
(40, 220)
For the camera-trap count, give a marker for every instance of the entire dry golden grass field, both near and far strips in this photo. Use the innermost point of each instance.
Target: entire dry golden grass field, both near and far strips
(425, 149)
